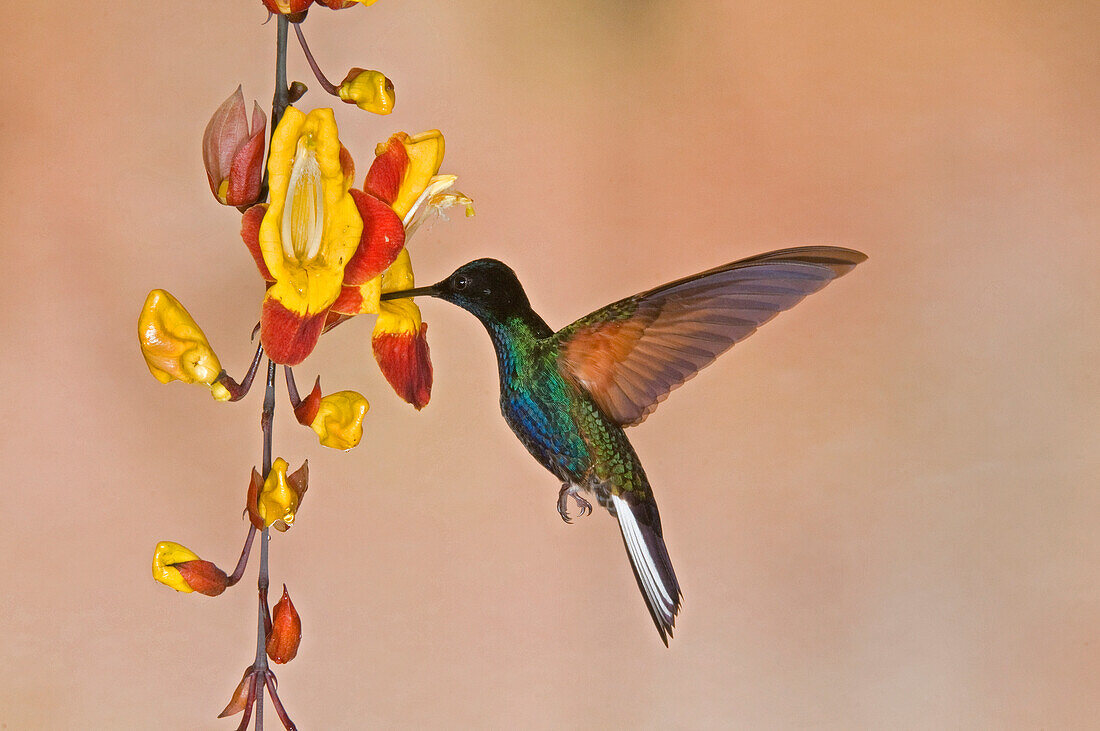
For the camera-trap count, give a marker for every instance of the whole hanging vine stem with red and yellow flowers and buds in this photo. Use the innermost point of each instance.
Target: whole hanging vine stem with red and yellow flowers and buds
(326, 251)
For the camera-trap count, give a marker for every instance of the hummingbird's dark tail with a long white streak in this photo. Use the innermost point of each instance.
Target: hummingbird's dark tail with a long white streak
(642, 535)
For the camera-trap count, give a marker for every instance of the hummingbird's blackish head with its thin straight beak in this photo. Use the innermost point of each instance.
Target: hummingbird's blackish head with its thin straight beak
(487, 289)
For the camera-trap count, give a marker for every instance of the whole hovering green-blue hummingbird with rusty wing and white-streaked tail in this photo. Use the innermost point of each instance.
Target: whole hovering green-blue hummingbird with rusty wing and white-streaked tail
(569, 395)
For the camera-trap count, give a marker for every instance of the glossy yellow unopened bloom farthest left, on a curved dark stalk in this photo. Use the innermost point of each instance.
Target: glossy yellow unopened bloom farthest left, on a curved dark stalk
(174, 346)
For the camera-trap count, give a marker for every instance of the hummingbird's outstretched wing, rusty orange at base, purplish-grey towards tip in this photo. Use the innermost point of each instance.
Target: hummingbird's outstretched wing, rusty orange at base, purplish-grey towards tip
(630, 356)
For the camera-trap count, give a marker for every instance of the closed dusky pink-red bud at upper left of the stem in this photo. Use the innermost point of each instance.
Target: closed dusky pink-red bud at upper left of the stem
(233, 153)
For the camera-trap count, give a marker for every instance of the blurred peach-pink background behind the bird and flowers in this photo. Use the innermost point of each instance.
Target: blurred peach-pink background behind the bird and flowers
(883, 508)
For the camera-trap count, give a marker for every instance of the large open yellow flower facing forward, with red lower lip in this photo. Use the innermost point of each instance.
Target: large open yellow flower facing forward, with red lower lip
(310, 232)
